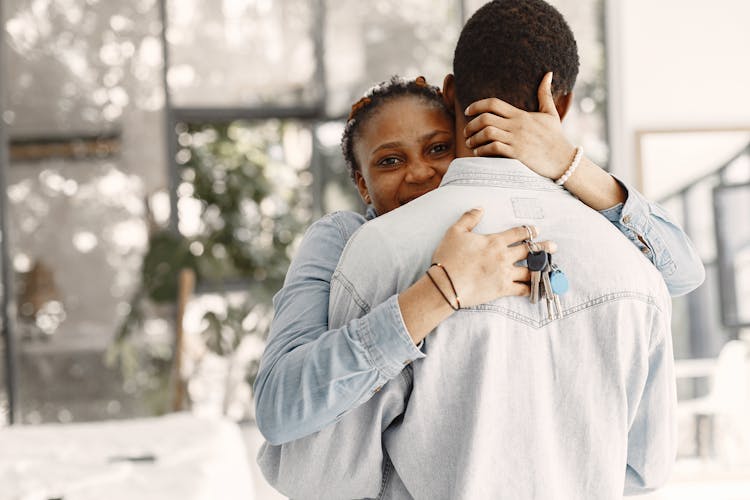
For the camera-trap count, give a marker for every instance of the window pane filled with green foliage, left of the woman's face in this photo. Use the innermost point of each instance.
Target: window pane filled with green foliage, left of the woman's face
(244, 197)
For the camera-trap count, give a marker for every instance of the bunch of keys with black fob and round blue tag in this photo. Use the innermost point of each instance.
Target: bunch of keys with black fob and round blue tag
(547, 280)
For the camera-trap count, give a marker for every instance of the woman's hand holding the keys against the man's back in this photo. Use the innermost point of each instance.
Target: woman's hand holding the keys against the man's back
(483, 266)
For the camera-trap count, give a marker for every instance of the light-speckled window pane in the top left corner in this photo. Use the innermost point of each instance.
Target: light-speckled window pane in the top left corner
(80, 66)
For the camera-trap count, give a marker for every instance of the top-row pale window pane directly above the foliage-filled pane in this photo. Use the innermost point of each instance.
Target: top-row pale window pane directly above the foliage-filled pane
(242, 52)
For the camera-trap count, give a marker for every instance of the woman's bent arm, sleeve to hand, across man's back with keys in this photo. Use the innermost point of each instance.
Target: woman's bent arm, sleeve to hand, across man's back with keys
(310, 375)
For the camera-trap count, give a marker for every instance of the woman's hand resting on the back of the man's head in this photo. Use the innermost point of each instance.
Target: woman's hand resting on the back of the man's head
(535, 139)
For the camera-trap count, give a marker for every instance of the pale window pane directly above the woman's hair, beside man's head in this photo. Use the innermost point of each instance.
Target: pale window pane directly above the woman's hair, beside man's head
(367, 42)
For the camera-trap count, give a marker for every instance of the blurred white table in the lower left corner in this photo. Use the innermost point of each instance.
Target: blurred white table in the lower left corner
(178, 456)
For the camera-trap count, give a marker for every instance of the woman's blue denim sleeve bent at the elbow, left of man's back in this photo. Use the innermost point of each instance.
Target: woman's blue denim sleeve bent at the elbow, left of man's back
(311, 375)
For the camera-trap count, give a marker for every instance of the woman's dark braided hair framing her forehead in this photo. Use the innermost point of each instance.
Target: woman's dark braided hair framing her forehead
(378, 95)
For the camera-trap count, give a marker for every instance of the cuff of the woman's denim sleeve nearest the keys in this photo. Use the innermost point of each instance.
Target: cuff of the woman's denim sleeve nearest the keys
(386, 339)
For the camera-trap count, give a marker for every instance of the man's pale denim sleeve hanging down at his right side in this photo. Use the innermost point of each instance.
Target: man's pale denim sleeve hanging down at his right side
(652, 439)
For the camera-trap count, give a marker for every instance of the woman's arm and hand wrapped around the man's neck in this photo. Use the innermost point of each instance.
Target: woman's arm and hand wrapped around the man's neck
(537, 140)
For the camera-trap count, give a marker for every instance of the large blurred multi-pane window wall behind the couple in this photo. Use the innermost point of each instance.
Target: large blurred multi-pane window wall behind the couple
(118, 181)
